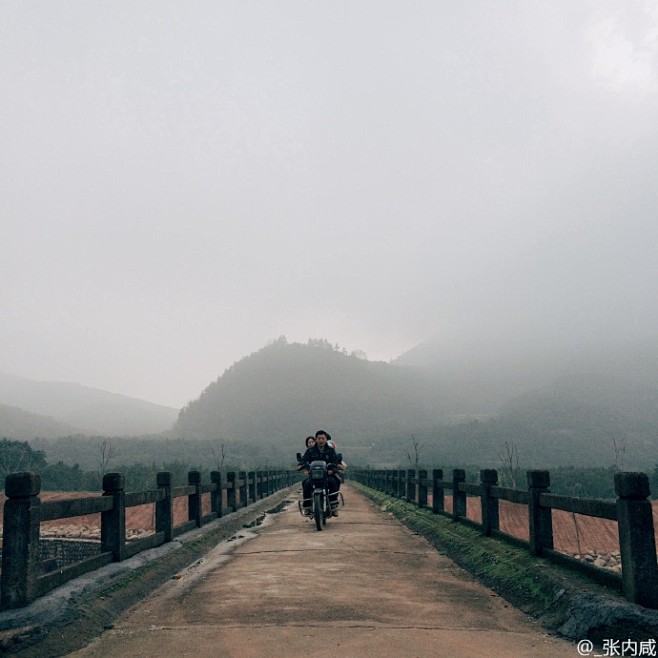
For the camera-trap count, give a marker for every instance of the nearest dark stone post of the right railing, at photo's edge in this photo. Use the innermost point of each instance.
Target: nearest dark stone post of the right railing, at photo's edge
(637, 542)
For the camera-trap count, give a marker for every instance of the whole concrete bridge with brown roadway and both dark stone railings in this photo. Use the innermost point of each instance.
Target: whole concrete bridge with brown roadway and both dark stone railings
(217, 579)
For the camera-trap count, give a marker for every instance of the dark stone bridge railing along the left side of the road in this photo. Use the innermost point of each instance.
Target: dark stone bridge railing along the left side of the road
(24, 577)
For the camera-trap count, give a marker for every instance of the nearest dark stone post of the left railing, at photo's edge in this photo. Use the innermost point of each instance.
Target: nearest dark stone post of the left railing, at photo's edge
(20, 539)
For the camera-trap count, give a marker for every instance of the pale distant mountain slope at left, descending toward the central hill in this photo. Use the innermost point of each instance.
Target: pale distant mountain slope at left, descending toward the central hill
(90, 410)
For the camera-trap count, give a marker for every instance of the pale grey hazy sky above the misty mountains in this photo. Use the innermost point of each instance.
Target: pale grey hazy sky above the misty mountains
(182, 182)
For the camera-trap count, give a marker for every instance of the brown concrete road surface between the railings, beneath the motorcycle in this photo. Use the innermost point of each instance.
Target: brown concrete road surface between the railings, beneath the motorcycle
(364, 586)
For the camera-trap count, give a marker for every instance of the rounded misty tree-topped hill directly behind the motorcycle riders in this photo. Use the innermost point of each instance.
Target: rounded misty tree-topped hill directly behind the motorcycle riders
(285, 391)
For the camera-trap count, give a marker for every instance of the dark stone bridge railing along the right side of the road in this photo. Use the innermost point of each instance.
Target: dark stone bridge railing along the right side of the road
(631, 510)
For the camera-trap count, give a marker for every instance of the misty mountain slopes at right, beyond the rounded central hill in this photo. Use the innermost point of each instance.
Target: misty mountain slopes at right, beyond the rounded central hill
(596, 404)
